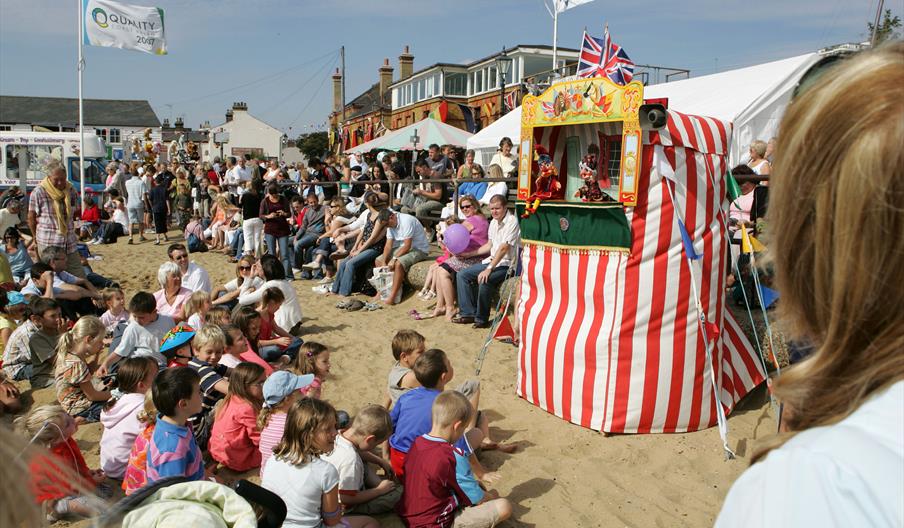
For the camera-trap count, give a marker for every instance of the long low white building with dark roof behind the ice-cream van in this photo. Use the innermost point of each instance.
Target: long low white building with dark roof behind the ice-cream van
(117, 121)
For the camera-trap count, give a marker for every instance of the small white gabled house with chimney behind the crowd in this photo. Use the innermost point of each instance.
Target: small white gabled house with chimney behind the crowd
(246, 135)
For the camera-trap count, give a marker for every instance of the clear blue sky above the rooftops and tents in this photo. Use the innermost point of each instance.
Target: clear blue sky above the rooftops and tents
(277, 55)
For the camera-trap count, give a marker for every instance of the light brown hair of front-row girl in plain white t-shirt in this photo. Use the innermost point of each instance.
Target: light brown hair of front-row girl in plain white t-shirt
(305, 417)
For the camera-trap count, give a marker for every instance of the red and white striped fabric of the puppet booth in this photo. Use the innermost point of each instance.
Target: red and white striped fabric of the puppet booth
(612, 340)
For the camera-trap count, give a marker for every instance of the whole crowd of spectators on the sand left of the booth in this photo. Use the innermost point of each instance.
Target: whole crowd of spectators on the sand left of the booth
(210, 382)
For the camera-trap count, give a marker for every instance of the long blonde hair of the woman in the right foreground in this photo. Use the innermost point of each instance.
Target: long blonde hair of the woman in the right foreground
(836, 218)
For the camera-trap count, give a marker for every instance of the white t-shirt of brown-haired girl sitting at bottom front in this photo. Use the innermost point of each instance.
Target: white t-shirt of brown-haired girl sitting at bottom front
(301, 488)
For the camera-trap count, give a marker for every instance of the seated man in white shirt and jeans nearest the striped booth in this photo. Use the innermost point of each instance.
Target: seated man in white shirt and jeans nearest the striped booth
(482, 279)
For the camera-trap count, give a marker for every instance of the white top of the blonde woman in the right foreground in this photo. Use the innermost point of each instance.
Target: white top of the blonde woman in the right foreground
(847, 474)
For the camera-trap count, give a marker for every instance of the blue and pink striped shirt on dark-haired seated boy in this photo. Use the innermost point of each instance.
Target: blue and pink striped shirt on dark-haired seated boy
(173, 452)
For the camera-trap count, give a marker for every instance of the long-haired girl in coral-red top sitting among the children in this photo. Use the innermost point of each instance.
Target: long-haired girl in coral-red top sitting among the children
(234, 437)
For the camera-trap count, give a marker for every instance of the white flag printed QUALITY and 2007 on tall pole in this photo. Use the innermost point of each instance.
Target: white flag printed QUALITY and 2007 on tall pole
(124, 26)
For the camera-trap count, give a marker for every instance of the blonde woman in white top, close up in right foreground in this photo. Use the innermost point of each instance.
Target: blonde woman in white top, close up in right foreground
(839, 265)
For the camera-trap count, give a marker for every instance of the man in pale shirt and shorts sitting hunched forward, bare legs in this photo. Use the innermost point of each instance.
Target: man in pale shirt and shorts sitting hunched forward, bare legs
(406, 243)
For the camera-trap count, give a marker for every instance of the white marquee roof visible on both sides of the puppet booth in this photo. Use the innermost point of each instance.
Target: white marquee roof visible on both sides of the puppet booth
(753, 99)
